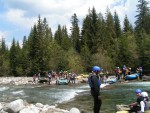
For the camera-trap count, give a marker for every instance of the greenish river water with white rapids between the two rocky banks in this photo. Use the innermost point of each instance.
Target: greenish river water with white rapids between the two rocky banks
(69, 96)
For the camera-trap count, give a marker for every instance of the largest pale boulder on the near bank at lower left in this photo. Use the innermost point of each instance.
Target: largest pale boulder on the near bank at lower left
(15, 106)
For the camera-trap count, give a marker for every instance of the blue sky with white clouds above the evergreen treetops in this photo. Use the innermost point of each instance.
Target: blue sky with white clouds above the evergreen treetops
(18, 16)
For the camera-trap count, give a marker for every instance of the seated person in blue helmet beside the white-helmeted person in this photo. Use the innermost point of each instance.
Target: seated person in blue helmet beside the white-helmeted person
(139, 105)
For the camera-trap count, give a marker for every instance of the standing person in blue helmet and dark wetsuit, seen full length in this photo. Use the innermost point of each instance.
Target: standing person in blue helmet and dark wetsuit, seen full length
(94, 82)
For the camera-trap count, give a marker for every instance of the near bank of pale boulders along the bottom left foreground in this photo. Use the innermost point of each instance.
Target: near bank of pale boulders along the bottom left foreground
(21, 106)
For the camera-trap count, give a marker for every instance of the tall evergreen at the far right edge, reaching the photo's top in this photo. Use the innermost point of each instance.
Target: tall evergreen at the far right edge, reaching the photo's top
(142, 28)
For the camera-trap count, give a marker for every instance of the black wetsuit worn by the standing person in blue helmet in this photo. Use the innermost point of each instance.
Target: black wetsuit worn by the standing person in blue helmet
(95, 91)
